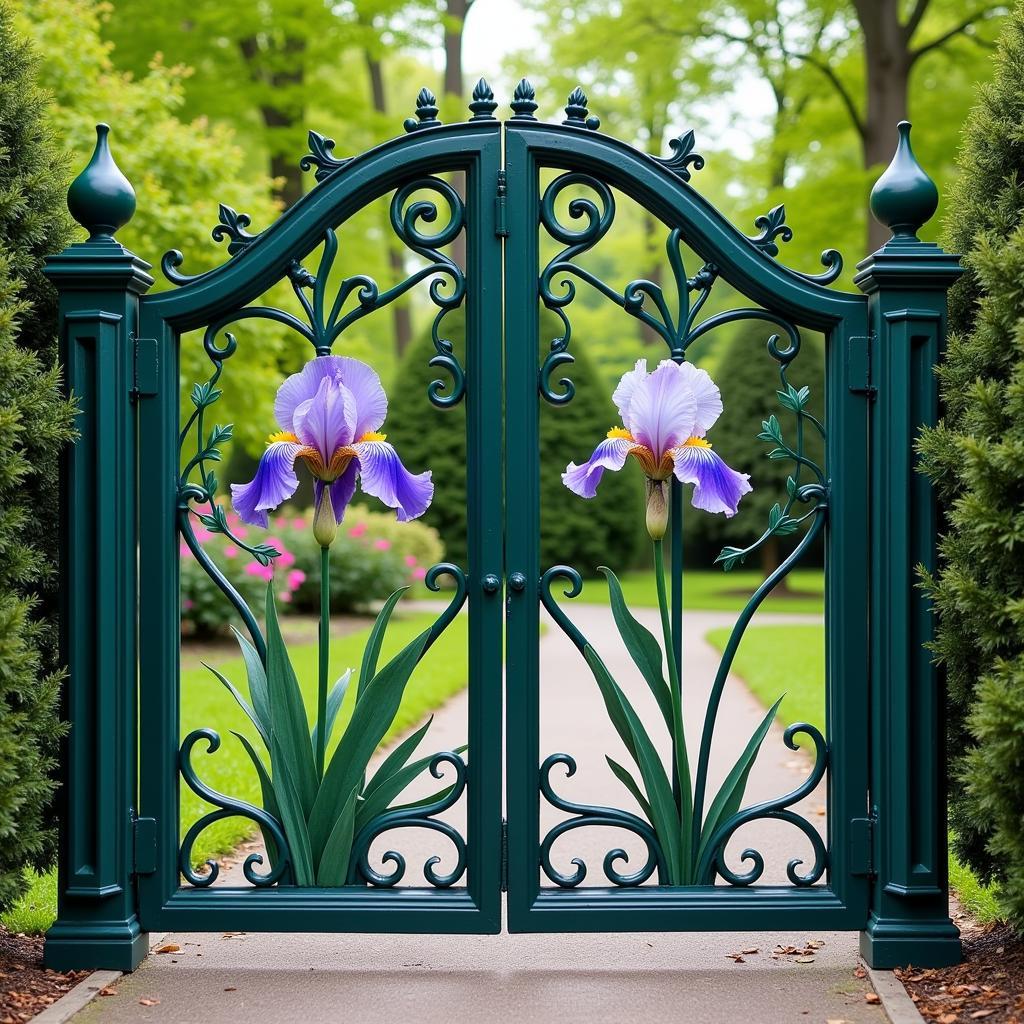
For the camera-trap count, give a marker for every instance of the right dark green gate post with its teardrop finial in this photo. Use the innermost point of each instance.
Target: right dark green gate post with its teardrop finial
(907, 283)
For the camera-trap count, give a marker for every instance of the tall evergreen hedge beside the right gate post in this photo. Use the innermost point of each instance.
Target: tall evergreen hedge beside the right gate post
(976, 460)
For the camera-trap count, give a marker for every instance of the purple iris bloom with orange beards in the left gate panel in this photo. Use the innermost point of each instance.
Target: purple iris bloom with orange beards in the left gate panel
(330, 413)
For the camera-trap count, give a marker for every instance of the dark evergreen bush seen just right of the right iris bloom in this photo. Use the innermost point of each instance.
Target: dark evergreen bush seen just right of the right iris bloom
(748, 378)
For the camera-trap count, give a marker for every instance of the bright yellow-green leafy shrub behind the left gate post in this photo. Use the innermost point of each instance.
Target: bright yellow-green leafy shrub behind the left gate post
(181, 172)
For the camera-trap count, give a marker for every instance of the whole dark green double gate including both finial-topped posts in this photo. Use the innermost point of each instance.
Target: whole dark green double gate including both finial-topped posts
(531, 205)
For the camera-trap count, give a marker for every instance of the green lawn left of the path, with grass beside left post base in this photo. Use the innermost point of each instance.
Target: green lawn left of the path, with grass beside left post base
(206, 703)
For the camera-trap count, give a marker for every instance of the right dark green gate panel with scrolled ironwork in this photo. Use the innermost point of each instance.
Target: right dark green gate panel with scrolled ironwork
(575, 167)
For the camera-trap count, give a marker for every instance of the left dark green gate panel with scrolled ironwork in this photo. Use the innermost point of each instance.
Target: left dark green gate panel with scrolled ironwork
(464, 895)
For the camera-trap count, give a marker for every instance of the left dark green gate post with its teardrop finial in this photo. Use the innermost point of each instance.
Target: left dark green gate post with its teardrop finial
(100, 283)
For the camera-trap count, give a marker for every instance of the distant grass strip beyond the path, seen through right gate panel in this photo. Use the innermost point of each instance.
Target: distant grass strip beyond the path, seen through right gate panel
(714, 590)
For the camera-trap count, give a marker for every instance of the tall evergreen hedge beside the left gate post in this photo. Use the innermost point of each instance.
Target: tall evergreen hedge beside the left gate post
(35, 423)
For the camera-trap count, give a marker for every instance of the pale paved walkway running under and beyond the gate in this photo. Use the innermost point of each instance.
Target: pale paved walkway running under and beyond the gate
(590, 979)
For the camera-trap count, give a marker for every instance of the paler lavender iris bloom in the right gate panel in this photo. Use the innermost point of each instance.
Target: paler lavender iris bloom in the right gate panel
(666, 415)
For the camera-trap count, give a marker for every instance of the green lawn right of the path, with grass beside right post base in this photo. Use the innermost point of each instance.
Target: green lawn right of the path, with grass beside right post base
(774, 660)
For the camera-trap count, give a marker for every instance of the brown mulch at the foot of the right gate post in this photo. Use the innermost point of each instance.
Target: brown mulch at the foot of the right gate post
(989, 987)
